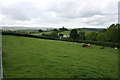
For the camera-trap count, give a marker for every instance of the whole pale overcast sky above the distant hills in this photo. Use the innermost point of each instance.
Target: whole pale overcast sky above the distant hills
(58, 13)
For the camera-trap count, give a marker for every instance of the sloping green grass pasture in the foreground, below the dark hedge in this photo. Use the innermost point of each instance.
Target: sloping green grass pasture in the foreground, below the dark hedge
(25, 57)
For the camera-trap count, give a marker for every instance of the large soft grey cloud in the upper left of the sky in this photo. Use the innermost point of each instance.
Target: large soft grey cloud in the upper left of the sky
(21, 11)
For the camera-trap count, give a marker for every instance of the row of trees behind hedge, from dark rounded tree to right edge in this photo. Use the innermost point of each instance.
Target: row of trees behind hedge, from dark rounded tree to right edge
(106, 35)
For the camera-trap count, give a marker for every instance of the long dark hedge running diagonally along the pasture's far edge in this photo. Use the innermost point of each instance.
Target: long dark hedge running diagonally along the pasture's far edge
(107, 44)
